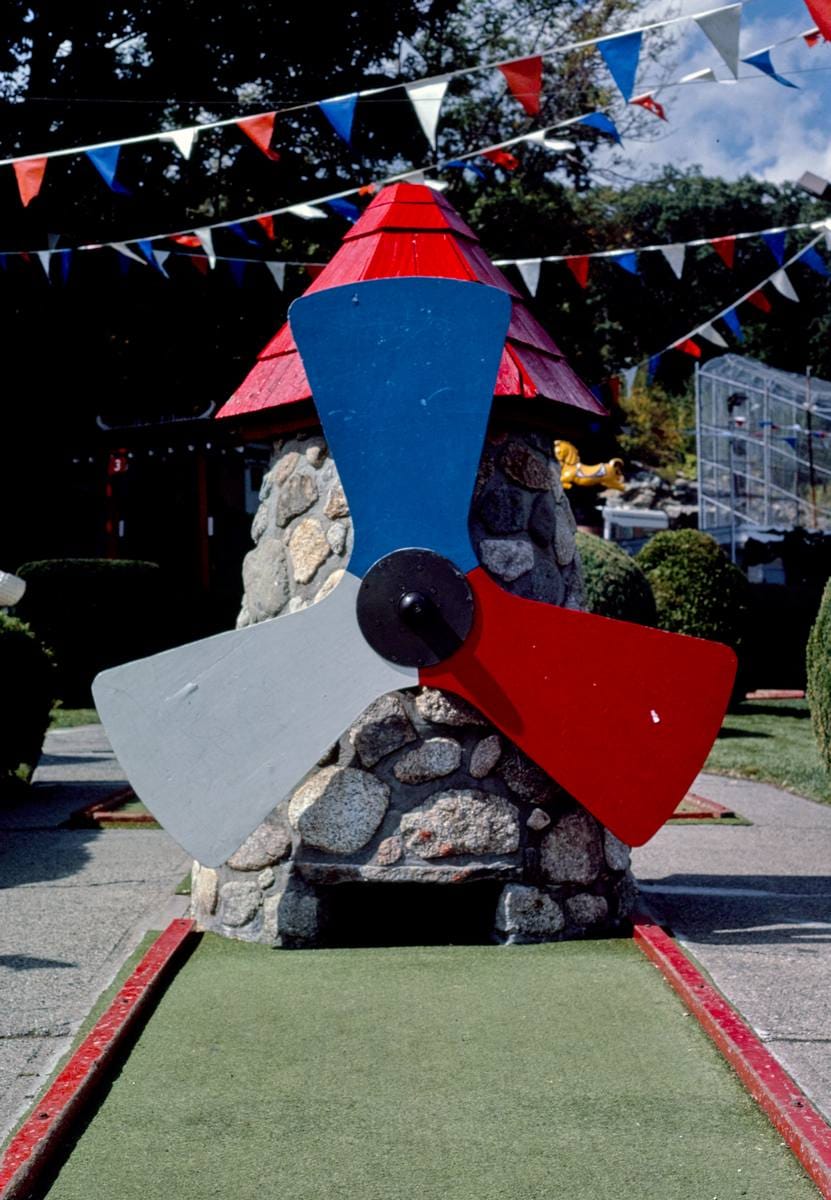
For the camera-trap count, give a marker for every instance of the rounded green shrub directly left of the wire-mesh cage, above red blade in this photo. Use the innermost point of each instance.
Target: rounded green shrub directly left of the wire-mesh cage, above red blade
(697, 589)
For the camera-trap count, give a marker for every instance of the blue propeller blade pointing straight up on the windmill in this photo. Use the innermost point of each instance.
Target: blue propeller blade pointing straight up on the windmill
(403, 374)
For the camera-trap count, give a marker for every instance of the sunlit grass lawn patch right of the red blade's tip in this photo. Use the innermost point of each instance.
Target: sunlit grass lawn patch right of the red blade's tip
(773, 741)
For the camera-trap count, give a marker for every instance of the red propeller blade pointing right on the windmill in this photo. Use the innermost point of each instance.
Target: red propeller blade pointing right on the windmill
(621, 716)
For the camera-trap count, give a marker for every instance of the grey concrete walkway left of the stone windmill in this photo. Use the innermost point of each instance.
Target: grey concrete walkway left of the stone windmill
(74, 905)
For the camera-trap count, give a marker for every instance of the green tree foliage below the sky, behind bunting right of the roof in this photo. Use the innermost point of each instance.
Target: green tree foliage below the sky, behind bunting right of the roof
(620, 319)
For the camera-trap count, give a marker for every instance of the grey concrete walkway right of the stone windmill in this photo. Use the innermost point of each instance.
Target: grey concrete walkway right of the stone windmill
(754, 905)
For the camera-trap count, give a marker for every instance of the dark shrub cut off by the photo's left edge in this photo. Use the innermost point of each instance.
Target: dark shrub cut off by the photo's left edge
(28, 681)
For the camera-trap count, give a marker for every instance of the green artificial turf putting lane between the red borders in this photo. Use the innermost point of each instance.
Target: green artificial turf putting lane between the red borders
(566, 1072)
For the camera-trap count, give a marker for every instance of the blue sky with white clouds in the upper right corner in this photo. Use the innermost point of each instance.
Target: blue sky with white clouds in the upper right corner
(754, 127)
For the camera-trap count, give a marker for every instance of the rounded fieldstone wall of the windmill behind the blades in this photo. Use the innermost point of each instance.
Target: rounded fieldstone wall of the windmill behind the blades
(421, 788)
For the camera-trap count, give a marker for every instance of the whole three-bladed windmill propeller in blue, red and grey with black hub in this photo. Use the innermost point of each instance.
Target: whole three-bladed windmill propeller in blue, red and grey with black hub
(213, 735)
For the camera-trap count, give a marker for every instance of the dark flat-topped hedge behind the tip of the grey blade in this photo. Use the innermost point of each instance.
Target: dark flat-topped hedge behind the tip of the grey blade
(93, 614)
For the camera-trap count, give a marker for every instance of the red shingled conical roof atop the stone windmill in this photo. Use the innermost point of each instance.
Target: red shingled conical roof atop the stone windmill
(411, 230)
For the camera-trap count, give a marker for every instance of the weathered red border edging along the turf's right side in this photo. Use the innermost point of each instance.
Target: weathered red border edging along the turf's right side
(787, 1107)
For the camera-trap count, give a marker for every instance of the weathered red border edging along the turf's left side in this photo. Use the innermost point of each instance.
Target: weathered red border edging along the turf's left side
(35, 1143)
